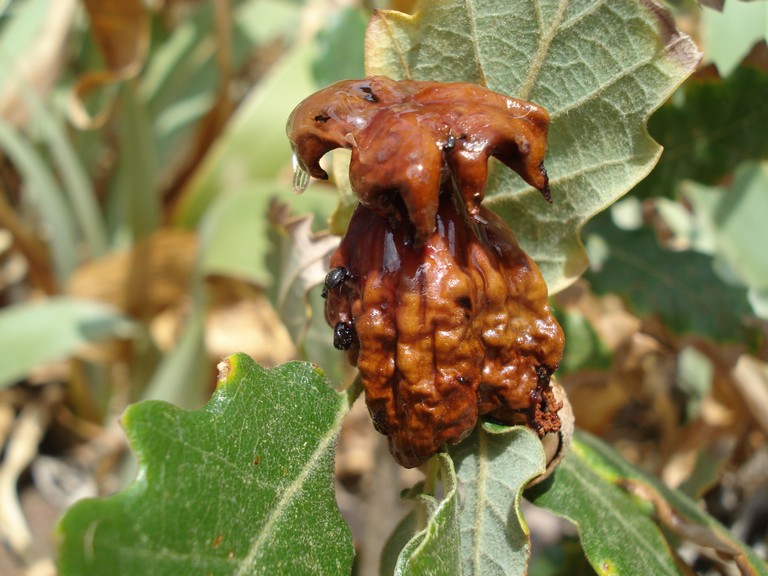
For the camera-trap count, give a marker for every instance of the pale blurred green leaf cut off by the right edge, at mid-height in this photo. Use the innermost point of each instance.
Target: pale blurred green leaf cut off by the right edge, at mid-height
(736, 216)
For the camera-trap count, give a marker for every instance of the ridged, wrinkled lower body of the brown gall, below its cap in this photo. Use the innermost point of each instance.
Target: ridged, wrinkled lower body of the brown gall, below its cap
(445, 330)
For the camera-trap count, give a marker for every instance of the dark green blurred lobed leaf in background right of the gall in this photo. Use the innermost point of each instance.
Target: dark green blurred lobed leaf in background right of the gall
(680, 287)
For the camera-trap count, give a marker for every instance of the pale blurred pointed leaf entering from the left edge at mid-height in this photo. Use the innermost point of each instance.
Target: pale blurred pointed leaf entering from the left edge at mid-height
(35, 333)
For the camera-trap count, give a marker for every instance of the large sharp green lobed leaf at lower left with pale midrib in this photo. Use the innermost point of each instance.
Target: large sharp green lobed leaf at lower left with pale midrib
(242, 486)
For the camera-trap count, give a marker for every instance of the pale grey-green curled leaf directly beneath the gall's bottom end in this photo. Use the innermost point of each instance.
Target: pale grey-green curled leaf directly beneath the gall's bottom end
(477, 528)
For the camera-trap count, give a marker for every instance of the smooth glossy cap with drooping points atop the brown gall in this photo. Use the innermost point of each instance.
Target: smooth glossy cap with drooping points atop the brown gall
(408, 138)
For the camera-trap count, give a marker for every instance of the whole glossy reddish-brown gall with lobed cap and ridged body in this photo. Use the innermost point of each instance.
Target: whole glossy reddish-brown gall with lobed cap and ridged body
(429, 293)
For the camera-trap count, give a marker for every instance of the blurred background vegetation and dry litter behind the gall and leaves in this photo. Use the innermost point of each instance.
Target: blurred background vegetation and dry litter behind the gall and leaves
(148, 228)
